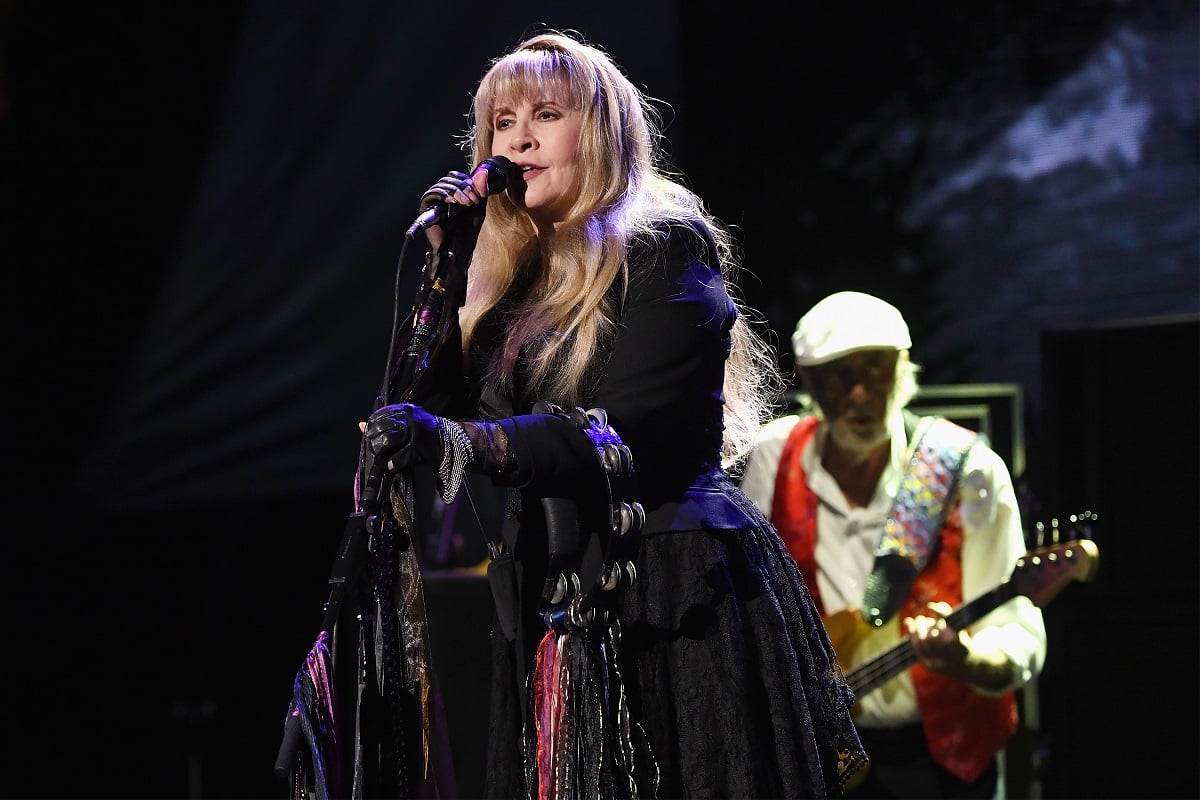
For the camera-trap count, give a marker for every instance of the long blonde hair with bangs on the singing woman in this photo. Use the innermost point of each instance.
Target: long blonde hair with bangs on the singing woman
(626, 190)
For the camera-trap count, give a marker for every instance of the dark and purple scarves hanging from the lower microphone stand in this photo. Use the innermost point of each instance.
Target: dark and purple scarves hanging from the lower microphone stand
(367, 695)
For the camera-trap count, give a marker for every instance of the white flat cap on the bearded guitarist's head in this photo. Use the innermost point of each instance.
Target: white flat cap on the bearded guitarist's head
(847, 322)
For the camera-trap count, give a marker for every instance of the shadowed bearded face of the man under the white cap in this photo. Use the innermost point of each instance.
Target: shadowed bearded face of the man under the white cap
(854, 393)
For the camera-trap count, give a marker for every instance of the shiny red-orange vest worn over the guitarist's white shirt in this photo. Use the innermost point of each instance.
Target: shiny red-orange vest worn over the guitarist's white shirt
(965, 730)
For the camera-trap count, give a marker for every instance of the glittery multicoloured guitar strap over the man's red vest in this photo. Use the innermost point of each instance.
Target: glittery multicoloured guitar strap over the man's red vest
(927, 495)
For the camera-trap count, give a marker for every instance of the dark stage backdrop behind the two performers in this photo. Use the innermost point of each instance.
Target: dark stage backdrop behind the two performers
(203, 216)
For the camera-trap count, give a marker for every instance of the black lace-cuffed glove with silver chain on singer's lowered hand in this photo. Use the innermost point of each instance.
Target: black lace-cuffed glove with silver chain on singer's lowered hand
(406, 436)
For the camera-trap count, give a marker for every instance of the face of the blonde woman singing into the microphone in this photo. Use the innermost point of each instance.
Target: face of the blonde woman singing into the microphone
(543, 139)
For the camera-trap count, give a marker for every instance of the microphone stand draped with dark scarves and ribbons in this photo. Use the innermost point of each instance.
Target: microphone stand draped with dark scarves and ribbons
(334, 700)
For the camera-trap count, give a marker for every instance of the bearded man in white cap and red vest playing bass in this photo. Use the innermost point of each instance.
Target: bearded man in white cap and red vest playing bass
(896, 520)
